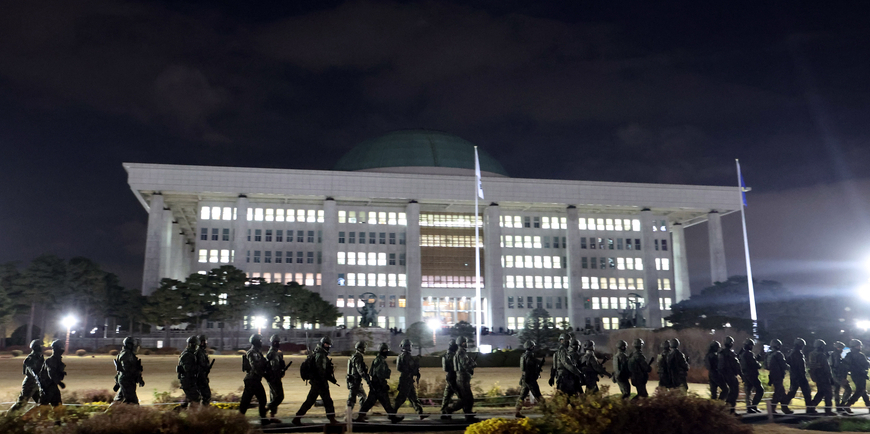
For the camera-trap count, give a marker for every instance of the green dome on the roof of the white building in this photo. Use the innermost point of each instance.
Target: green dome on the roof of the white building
(417, 148)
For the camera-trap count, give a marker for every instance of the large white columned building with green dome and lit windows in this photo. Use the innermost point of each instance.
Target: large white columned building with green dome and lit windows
(396, 218)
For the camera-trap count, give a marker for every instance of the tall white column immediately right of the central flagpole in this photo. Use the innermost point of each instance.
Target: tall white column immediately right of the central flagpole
(493, 280)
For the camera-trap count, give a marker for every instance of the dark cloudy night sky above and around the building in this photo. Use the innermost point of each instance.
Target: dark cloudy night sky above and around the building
(599, 91)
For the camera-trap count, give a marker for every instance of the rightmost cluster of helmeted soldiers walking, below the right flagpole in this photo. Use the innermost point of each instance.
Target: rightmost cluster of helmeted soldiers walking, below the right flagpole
(828, 369)
